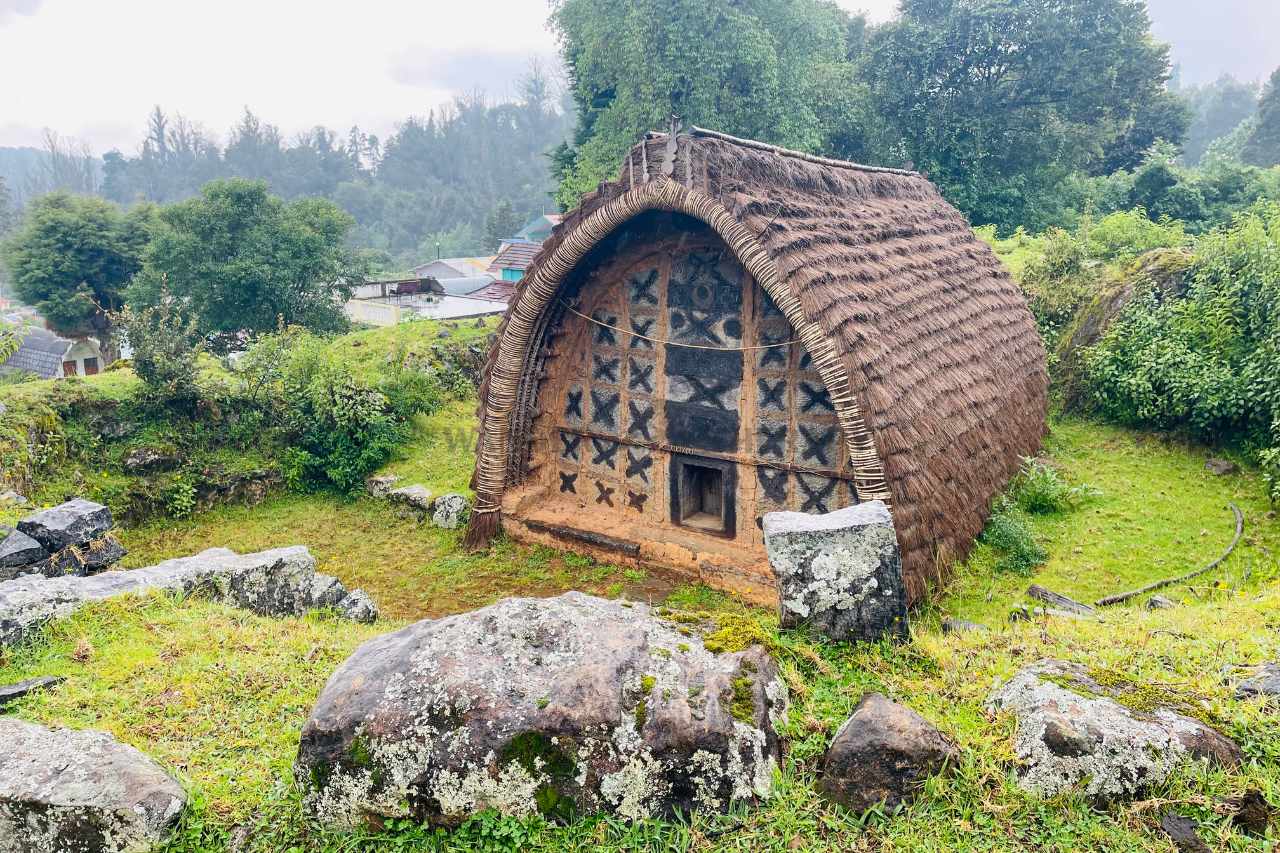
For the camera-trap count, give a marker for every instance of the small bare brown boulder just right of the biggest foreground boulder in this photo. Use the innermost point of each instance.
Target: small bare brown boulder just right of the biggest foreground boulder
(883, 755)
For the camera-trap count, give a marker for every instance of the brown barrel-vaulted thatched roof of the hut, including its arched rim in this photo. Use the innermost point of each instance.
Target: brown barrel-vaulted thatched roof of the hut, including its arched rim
(922, 337)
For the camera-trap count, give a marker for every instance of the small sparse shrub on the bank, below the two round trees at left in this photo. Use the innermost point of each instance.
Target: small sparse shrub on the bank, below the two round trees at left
(166, 345)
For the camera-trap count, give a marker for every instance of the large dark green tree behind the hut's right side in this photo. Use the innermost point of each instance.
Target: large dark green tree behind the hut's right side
(998, 102)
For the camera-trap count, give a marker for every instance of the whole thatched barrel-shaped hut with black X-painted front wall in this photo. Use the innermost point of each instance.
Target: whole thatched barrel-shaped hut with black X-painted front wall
(733, 329)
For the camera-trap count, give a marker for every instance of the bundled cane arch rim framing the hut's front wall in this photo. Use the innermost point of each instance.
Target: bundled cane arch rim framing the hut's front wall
(518, 345)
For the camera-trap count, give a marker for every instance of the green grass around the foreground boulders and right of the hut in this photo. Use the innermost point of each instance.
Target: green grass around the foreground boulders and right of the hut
(220, 696)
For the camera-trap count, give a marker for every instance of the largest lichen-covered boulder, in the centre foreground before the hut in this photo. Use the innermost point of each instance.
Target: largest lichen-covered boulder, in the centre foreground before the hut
(568, 705)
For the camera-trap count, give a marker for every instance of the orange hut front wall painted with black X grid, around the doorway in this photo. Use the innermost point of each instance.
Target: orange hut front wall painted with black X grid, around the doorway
(623, 404)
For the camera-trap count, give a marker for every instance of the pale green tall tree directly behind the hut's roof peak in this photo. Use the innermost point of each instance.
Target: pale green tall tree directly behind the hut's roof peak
(753, 69)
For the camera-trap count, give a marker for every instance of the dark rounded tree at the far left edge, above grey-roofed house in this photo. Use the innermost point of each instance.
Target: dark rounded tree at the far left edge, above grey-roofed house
(72, 259)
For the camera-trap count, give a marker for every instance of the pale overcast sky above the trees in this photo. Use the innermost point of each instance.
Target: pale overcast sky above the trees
(93, 70)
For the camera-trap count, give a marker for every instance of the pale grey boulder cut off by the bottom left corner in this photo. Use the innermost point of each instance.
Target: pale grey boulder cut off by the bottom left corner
(80, 792)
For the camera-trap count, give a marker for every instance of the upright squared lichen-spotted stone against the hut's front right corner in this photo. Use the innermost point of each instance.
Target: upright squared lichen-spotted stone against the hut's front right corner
(839, 573)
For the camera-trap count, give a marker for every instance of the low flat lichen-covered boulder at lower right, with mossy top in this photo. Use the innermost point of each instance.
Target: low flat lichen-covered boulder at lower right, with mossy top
(1071, 731)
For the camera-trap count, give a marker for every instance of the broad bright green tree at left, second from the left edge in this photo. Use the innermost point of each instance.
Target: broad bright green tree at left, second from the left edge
(244, 261)
